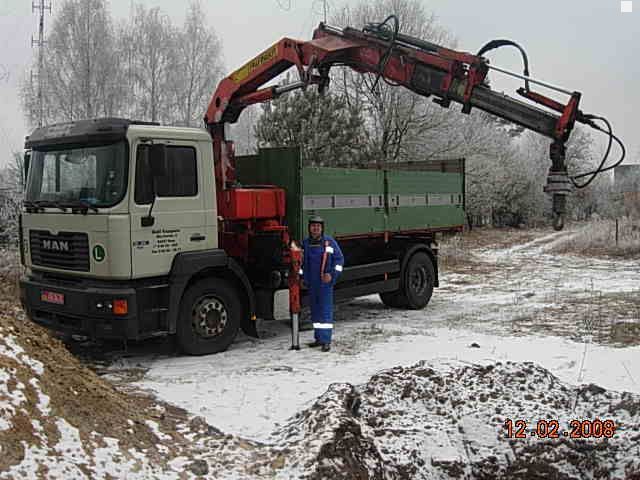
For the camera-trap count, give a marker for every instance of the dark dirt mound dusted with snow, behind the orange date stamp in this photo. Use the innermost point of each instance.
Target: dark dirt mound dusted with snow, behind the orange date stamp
(429, 422)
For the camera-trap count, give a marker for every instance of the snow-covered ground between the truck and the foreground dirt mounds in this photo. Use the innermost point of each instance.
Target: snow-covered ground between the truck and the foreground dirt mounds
(507, 308)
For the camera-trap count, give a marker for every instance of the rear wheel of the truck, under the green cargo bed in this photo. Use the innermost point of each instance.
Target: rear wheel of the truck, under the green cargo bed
(417, 283)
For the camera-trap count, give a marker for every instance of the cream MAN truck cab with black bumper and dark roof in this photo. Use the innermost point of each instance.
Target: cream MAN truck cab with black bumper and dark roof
(105, 225)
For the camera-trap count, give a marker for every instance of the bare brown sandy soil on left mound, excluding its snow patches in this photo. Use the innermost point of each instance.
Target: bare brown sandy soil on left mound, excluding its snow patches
(81, 397)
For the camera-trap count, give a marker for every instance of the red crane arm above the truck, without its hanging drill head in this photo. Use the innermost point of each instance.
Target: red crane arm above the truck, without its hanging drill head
(424, 68)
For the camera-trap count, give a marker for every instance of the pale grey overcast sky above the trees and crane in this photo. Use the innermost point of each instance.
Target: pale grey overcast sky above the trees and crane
(584, 45)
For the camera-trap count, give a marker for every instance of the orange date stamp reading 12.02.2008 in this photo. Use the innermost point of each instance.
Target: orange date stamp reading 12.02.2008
(596, 428)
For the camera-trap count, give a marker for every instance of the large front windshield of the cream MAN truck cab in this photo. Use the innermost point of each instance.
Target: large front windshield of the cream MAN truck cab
(94, 176)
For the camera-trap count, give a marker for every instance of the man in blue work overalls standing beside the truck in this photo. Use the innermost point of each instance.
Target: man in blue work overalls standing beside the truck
(321, 265)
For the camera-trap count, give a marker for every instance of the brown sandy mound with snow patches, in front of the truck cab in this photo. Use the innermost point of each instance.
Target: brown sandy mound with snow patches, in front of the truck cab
(59, 419)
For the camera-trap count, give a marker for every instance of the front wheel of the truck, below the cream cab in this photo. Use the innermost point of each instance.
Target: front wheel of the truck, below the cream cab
(209, 320)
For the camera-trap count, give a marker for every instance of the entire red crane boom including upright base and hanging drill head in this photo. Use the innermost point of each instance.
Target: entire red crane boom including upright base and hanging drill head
(423, 67)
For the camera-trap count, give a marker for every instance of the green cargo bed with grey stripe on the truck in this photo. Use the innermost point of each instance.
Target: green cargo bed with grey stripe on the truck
(357, 201)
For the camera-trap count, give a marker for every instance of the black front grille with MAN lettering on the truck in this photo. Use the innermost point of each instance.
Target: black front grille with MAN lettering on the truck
(67, 250)
